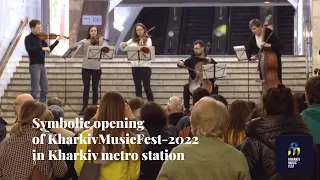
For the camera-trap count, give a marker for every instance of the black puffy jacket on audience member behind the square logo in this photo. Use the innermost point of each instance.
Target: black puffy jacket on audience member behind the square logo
(259, 146)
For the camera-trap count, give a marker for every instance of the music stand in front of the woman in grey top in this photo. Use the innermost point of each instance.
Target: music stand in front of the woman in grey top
(96, 53)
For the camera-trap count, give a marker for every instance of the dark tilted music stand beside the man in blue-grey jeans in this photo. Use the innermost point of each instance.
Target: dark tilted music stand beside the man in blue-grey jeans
(70, 53)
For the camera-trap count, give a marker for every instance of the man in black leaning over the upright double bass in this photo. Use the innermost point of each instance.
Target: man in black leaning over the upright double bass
(256, 43)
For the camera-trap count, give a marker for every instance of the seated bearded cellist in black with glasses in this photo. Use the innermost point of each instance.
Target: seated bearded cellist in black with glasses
(199, 56)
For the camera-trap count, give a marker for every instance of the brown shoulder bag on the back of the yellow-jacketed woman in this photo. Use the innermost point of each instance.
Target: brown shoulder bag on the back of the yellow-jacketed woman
(90, 170)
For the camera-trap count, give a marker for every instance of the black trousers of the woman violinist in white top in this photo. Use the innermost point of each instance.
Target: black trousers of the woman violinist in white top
(142, 74)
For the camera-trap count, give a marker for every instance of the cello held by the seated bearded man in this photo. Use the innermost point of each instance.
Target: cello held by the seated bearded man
(198, 81)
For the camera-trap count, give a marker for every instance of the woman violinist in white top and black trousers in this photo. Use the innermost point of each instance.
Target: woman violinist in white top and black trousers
(141, 70)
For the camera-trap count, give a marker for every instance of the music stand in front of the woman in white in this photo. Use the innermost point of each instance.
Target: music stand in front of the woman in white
(140, 53)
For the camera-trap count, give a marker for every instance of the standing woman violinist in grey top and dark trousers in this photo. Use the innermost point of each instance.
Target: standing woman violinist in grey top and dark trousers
(90, 67)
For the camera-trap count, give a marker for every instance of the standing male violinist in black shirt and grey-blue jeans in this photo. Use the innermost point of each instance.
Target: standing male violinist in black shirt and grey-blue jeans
(36, 50)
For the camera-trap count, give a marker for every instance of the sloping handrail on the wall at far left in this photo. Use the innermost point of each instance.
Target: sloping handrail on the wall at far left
(12, 46)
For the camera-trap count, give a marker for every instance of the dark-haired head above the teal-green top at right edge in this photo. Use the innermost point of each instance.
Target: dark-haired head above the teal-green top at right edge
(312, 88)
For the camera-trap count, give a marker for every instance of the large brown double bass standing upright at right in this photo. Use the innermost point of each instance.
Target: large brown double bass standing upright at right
(268, 61)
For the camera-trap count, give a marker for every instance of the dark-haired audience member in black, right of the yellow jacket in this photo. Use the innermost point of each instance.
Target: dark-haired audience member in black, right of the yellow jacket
(156, 123)
